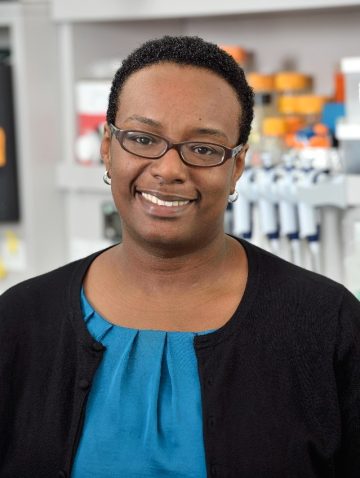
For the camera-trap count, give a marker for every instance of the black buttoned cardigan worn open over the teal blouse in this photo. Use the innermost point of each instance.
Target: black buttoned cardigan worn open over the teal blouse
(280, 381)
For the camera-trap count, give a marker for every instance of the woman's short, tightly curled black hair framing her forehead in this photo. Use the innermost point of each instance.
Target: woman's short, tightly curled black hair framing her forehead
(186, 50)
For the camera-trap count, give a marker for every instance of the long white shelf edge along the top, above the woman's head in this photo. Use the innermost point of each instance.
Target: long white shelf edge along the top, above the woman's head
(113, 10)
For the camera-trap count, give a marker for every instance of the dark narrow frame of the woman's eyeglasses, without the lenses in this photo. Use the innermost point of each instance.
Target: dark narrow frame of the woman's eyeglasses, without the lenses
(228, 152)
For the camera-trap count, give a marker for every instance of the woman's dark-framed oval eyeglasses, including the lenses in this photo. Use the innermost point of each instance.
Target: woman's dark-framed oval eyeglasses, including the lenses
(153, 146)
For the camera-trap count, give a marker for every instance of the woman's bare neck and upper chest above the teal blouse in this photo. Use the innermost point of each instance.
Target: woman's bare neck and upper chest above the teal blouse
(198, 290)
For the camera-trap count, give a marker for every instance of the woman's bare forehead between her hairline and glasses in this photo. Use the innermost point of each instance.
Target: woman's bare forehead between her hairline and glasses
(181, 93)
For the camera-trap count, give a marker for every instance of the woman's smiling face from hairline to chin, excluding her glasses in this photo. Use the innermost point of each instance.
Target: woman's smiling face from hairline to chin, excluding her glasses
(181, 103)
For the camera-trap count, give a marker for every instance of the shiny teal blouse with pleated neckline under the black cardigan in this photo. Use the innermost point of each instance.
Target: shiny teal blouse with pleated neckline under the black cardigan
(143, 416)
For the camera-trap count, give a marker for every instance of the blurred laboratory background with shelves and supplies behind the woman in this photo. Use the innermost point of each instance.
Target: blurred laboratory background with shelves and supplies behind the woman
(299, 196)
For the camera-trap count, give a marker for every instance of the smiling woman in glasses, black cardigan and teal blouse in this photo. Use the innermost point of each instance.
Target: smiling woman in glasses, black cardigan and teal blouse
(181, 352)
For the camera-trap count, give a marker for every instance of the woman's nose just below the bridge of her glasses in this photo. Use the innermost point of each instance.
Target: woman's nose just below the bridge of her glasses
(170, 168)
